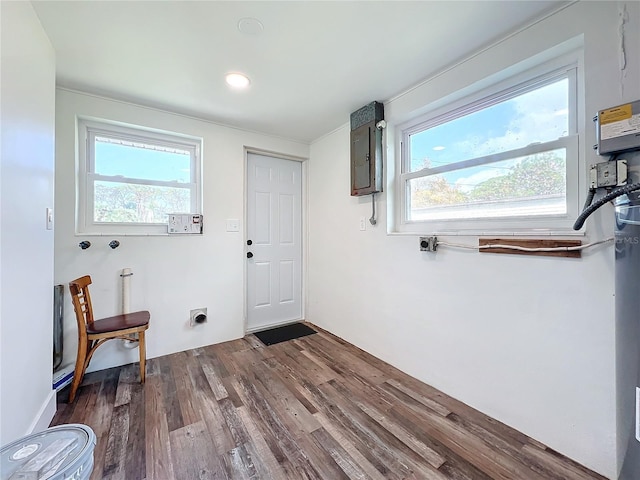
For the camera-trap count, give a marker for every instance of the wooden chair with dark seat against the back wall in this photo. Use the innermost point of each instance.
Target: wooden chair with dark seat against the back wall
(93, 333)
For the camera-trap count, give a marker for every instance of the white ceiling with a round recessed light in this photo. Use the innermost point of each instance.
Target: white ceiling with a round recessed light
(312, 65)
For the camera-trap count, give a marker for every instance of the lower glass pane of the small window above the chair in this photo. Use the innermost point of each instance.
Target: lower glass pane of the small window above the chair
(116, 202)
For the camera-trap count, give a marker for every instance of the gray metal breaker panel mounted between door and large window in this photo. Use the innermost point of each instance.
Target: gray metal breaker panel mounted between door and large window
(366, 149)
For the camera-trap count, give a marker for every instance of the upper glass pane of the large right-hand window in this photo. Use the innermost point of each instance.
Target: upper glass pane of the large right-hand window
(537, 116)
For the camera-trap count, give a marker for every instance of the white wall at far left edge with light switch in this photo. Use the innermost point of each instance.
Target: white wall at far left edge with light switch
(26, 271)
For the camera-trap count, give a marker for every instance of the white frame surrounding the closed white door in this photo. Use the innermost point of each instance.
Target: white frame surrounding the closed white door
(303, 225)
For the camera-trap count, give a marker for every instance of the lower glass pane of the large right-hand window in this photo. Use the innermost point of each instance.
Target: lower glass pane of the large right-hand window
(531, 185)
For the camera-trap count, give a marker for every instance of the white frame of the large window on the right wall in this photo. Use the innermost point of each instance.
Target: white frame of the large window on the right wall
(569, 65)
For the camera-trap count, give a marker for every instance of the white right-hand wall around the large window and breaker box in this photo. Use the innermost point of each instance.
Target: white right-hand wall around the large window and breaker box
(527, 340)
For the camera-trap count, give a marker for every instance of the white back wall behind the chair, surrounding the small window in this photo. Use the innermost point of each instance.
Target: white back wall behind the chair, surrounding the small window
(172, 275)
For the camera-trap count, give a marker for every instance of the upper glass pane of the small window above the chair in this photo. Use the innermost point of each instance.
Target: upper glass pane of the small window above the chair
(140, 160)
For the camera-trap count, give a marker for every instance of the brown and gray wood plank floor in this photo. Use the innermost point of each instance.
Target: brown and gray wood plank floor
(312, 408)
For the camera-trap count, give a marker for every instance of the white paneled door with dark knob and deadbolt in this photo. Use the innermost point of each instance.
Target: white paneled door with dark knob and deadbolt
(274, 241)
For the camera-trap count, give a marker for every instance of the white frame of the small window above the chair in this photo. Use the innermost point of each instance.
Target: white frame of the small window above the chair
(88, 129)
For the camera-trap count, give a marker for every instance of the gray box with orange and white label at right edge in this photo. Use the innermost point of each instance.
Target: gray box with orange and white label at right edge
(618, 128)
